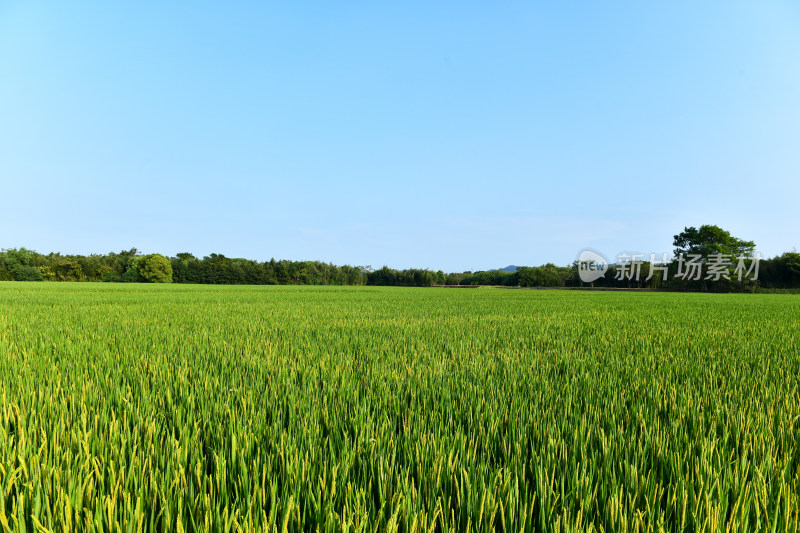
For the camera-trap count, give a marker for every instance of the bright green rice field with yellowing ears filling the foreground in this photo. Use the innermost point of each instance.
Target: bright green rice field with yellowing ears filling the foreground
(210, 408)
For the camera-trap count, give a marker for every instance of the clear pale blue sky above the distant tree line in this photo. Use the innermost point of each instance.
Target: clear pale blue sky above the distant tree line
(460, 135)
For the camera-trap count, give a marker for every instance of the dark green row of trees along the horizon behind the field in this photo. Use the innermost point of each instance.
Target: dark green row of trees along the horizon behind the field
(781, 272)
